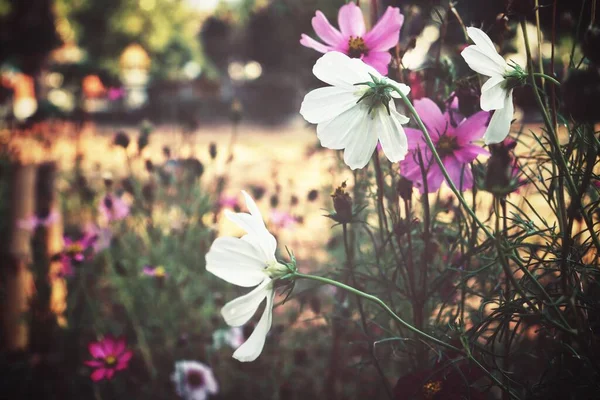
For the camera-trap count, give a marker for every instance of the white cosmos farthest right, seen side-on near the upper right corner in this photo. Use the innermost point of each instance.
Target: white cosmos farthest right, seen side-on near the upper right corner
(496, 94)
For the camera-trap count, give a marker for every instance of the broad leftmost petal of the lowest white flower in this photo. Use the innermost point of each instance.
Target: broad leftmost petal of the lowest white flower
(236, 261)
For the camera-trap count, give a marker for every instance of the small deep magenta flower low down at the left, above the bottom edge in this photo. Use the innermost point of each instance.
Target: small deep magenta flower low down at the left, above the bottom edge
(110, 355)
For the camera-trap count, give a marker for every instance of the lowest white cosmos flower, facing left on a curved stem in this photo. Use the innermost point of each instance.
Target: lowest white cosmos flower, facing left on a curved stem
(247, 261)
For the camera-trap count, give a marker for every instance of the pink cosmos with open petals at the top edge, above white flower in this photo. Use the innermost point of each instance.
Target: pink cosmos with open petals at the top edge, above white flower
(352, 38)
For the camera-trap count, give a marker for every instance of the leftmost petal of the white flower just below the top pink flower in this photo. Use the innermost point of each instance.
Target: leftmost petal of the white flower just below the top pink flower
(326, 103)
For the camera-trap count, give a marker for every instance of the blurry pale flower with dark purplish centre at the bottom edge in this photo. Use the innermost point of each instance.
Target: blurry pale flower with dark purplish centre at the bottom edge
(194, 380)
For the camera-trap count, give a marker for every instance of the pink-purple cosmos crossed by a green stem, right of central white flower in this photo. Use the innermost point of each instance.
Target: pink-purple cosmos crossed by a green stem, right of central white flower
(453, 144)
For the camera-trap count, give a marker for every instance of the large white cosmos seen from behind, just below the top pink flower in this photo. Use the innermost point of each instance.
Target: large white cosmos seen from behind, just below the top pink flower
(344, 122)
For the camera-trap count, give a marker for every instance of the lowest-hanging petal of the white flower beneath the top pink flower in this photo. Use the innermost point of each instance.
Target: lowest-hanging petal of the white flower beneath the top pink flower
(363, 141)
